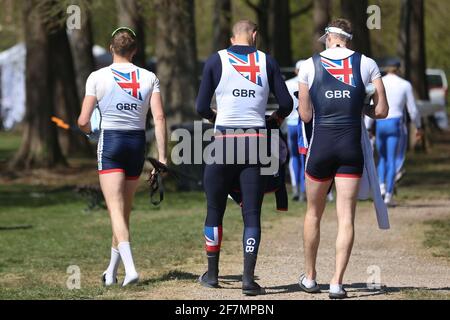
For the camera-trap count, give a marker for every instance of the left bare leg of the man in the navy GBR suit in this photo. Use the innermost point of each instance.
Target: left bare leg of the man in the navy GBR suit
(316, 193)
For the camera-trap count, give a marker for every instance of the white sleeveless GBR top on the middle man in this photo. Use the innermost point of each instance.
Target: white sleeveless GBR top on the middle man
(243, 90)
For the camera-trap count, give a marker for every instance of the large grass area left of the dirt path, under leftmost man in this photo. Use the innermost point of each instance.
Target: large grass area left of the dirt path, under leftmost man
(45, 230)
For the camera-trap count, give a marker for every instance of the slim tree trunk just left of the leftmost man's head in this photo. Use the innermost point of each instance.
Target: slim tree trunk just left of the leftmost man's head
(81, 42)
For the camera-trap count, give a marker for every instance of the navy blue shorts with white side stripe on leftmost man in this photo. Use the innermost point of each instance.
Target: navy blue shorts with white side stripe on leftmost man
(121, 151)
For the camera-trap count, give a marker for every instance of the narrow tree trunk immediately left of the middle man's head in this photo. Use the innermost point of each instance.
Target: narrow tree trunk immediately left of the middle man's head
(221, 24)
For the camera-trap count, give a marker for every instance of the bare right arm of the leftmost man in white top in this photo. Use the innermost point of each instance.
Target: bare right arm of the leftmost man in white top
(160, 126)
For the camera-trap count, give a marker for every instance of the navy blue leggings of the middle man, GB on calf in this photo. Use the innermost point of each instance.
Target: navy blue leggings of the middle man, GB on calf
(218, 182)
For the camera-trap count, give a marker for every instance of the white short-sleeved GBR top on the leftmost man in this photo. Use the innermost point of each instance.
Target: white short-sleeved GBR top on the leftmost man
(123, 92)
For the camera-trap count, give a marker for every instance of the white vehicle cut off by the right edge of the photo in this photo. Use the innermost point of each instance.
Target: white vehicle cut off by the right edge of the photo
(438, 93)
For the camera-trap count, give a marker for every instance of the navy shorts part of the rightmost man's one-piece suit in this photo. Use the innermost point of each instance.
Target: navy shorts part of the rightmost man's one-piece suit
(335, 152)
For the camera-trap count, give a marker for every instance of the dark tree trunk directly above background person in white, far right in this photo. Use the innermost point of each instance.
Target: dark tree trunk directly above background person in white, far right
(412, 45)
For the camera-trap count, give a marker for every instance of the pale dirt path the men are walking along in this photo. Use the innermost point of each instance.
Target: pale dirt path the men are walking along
(403, 262)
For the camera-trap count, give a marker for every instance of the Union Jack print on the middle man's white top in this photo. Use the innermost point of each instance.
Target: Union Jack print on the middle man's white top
(247, 65)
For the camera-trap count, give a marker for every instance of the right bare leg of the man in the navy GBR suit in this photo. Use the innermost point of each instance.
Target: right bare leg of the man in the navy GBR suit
(347, 191)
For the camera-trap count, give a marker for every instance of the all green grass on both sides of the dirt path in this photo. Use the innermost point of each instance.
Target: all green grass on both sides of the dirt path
(44, 229)
